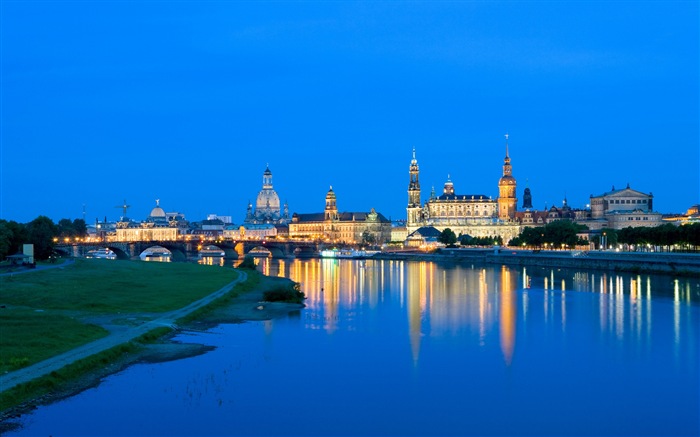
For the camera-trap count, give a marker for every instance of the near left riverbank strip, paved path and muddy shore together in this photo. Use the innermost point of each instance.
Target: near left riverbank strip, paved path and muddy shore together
(134, 338)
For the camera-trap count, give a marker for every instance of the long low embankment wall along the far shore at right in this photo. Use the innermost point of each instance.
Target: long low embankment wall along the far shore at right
(633, 262)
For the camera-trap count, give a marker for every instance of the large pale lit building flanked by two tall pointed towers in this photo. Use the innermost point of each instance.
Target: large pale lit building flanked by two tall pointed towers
(476, 215)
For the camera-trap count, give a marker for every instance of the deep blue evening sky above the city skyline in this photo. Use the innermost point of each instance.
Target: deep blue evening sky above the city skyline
(188, 101)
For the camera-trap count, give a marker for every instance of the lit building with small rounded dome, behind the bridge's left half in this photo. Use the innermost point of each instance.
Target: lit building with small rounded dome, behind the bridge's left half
(158, 226)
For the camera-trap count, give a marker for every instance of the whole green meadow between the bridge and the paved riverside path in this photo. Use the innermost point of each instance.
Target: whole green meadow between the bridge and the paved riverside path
(45, 312)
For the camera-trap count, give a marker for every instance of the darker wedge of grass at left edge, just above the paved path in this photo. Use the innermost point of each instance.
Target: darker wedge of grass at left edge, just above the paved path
(28, 336)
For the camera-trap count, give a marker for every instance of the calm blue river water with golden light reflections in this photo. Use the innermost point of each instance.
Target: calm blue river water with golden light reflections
(399, 348)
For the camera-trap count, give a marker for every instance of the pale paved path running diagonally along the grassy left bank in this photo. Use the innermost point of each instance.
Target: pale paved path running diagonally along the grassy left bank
(43, 368)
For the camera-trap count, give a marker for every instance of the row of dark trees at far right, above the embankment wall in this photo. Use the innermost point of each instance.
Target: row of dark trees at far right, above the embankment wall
(665, 236)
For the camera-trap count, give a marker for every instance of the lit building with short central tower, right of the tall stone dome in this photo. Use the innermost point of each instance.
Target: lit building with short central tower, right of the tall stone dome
(341, 227)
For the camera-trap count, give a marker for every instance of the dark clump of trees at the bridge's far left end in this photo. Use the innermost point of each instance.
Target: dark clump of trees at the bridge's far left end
(40, 232)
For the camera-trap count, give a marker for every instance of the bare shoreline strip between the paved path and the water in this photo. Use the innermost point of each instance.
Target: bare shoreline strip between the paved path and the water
(245, 307)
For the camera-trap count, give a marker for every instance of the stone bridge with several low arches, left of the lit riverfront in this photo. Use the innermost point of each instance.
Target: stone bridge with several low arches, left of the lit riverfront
(184, 250)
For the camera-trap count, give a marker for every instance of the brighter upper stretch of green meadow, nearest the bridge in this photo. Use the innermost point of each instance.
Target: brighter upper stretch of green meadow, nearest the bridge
(100, 286)
